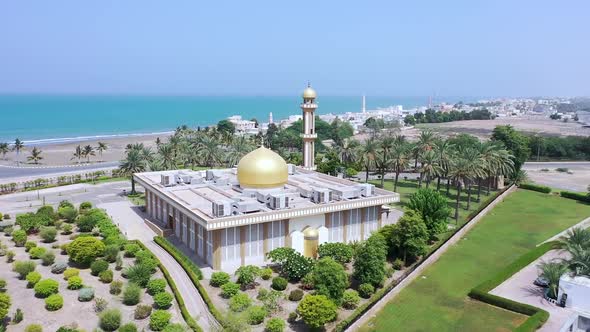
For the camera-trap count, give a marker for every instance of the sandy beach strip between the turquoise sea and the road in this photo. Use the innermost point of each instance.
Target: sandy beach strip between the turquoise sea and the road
(55, 154)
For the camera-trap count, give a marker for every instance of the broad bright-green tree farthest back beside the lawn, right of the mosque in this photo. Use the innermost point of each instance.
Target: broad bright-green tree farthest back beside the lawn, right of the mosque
(432, 207)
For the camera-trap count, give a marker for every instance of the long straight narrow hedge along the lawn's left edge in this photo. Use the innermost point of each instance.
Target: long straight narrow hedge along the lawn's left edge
(379, 294)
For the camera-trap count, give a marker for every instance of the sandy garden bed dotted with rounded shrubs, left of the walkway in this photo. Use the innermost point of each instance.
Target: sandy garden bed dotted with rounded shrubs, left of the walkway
(72, 267)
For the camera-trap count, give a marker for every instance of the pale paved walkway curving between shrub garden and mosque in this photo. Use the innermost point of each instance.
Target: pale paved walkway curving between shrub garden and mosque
(130, 221)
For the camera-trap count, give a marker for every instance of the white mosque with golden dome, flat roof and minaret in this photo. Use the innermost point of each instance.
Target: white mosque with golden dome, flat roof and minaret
(234, 217)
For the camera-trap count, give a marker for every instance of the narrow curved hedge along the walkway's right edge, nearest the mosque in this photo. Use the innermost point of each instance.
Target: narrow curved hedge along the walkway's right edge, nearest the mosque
(194, 273)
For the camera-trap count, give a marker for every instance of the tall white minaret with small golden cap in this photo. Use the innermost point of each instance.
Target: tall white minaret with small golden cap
(308, 107)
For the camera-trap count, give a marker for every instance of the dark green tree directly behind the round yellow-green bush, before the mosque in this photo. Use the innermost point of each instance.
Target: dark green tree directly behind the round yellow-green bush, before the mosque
(330, 279)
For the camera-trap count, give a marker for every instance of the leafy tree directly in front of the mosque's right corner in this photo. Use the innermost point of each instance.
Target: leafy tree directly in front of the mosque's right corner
(409, 236)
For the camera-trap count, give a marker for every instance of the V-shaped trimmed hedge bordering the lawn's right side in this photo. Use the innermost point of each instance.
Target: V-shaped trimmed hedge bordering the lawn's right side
(481, 292)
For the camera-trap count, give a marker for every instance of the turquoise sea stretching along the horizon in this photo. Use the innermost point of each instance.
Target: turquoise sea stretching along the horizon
(47, 119)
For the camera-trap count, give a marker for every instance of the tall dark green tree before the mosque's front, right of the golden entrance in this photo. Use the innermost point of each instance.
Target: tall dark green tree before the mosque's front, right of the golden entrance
(369, 262)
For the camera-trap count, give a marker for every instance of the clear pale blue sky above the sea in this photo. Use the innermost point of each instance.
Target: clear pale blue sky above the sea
(393, 48)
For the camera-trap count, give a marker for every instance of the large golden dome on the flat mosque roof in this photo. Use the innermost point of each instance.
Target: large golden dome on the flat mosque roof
(262, 168)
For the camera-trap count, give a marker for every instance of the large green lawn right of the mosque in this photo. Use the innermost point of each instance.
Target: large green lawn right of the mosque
(437, 300)
